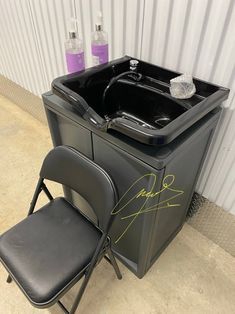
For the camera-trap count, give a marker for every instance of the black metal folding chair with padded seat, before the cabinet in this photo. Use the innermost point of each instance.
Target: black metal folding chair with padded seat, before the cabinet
(54, 247)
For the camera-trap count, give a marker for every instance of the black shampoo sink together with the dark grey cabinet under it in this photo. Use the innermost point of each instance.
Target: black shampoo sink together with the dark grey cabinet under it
(152, 145)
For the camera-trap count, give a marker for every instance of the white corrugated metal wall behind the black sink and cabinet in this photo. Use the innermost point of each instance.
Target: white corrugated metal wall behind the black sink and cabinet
(194, 36)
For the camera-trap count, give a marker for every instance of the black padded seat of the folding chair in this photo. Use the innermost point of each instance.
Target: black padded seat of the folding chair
(48, 249)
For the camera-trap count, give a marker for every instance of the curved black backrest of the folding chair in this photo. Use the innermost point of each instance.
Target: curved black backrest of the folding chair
(69, 167)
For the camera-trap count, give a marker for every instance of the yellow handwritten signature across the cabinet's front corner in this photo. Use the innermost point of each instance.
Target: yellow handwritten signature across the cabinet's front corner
(145, 195)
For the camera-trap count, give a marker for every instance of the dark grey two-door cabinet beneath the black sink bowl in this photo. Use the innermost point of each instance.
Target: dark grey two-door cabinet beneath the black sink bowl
(155, 184)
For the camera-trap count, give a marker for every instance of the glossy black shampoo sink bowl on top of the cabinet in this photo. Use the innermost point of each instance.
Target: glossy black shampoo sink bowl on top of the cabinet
(136, 103)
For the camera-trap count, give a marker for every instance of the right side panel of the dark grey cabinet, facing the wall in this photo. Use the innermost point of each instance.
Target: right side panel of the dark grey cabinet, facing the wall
(181, 173)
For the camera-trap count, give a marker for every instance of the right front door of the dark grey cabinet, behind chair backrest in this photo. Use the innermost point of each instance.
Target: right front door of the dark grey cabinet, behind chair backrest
(132, 228)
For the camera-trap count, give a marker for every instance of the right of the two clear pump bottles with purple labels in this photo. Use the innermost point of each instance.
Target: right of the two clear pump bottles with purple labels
(99, 42)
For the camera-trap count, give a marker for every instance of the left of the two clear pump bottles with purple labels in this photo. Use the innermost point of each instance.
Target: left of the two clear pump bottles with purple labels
(74, 49)
